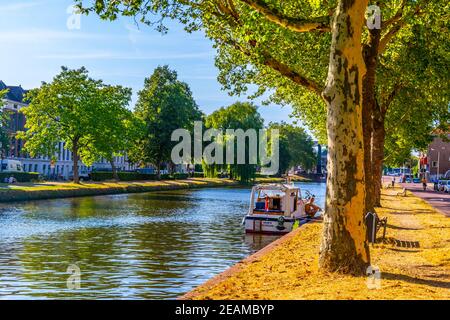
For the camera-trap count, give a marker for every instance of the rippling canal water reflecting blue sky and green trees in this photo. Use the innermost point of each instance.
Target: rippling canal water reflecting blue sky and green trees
(155, 245)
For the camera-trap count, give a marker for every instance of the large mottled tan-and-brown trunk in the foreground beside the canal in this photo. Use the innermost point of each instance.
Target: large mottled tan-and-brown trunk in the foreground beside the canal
(344, 246)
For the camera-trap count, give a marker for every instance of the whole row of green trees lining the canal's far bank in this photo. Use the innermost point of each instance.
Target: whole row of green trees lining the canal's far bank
(93, 121)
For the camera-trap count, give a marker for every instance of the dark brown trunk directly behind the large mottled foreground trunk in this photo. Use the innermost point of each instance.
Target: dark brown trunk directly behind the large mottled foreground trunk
(370, 54)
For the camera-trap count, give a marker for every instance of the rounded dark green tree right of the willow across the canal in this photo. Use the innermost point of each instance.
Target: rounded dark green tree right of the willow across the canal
(296, 147)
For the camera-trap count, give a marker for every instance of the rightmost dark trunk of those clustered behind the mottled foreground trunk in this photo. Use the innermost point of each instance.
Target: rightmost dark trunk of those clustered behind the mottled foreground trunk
(378, 138)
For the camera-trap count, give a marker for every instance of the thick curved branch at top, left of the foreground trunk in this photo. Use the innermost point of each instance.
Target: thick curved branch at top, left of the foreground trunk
(290, 23)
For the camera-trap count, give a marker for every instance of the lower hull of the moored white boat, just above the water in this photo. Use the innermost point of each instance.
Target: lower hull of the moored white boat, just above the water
(268, 224)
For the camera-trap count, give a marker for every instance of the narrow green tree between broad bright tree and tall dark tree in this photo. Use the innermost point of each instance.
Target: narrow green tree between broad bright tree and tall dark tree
(115, 129)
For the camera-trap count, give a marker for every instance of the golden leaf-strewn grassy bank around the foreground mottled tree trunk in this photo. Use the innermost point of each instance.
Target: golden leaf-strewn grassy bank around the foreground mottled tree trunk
(414, 262)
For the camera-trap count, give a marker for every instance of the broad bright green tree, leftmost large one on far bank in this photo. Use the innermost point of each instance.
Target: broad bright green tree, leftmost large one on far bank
(70, 109)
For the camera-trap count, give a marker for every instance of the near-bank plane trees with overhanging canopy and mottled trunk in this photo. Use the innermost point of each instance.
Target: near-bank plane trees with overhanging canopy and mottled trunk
(345, 80)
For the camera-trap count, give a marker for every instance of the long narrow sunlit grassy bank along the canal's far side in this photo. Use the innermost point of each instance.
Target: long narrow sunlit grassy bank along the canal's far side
(51, 190)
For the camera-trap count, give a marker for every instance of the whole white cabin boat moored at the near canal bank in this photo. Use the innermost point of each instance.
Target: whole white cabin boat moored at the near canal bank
(274, 209)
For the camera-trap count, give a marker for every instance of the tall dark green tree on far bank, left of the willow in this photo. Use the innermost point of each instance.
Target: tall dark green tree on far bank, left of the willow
(164, 105)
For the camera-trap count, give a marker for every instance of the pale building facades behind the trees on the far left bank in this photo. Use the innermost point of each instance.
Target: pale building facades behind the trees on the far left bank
(63, 166)
